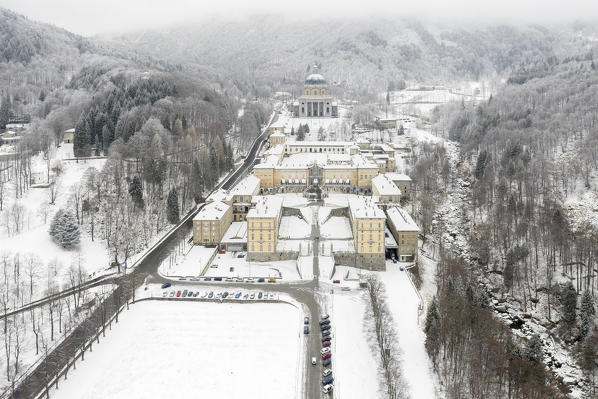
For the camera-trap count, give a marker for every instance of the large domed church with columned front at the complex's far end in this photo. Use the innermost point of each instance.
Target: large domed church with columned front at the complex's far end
(315, 101)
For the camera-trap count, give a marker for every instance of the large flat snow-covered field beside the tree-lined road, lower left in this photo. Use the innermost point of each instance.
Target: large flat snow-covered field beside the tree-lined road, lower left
(194, 350)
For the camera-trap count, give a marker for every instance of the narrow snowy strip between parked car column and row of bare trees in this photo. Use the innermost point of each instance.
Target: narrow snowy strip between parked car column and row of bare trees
(355, 369)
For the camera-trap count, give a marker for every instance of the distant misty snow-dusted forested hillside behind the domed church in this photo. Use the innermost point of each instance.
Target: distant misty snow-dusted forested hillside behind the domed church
(359, 55)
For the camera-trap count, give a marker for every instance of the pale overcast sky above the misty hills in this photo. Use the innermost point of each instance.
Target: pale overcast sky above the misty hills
(89, 17)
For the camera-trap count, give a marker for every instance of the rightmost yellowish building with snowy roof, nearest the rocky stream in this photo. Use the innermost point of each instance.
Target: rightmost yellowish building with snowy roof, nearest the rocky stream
(405, 232)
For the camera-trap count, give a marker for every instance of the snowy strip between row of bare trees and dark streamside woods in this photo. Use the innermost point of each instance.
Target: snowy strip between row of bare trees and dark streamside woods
(403, 302)
